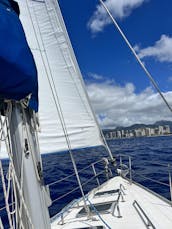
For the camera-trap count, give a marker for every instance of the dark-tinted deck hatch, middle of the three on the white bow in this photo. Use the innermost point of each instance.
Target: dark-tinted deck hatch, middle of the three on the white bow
(104, 207)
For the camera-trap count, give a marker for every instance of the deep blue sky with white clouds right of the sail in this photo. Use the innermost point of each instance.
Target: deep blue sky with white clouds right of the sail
(119, 90)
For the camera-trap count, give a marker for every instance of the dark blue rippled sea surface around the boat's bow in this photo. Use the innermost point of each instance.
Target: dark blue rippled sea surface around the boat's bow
(150, 157)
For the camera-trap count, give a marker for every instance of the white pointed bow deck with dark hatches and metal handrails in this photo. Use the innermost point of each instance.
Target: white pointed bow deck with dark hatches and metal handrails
(118, 204)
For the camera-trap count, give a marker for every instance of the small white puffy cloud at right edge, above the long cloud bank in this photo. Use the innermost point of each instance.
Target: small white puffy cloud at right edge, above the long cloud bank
(161, 50)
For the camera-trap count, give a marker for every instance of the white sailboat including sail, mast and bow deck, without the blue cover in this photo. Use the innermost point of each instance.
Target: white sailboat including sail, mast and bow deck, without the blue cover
(67, 122)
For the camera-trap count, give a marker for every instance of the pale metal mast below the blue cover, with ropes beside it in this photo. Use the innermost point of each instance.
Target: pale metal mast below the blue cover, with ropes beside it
(31, 200)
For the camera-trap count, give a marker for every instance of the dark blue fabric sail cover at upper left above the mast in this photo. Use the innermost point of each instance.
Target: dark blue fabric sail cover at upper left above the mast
(18, 74)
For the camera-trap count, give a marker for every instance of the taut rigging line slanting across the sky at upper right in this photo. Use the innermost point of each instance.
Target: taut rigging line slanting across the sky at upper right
(136, 56)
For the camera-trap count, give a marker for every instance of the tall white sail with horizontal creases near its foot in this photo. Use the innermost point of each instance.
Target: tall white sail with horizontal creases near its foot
(64, 108)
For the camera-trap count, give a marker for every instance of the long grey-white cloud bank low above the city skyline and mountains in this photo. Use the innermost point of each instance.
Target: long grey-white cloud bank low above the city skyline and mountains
(121, 106)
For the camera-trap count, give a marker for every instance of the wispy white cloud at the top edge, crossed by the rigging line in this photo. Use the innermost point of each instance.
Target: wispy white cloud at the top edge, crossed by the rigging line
(118, 8)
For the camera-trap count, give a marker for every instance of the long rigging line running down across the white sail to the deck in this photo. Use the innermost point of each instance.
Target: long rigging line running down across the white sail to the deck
(55, 96)
